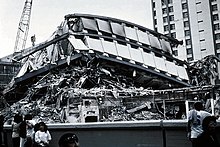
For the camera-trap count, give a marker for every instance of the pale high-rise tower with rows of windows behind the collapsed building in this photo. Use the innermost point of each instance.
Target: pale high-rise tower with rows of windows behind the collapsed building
(196, 22)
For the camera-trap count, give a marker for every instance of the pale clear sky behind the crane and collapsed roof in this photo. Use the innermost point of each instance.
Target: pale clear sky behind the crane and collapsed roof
(46, 15)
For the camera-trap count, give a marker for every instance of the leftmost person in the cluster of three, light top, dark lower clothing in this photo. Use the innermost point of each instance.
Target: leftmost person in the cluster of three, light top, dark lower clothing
(15, 130)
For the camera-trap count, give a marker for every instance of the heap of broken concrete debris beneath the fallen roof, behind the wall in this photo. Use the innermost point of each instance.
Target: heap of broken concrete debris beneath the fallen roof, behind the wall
(92, 92)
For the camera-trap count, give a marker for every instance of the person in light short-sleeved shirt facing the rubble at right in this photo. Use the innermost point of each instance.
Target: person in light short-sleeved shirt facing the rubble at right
(195, 119)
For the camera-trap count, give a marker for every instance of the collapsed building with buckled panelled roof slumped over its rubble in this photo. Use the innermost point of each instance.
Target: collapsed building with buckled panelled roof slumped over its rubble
(98, 69)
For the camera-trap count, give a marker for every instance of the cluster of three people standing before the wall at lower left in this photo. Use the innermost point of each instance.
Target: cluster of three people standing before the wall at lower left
(27, 133)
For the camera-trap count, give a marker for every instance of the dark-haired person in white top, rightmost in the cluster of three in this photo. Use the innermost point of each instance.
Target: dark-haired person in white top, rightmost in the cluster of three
(42, 136)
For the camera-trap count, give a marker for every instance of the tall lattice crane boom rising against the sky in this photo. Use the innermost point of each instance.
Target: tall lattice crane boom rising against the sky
(23, 27)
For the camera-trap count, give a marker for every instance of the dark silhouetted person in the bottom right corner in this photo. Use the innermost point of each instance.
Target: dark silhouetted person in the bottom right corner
(208, 137)
